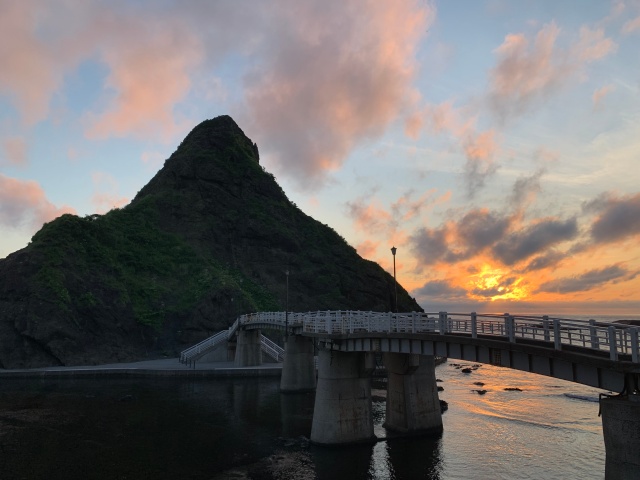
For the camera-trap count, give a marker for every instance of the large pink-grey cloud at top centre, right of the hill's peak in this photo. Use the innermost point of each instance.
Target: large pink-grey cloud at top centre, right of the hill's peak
(333, 75)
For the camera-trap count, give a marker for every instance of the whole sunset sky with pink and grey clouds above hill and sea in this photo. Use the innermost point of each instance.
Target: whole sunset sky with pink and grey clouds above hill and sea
(495, 143)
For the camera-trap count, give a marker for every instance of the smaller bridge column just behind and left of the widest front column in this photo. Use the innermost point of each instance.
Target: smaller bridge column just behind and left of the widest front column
(298, 369)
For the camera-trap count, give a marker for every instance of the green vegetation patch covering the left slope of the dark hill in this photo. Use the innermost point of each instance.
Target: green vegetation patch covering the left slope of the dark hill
(125, 254)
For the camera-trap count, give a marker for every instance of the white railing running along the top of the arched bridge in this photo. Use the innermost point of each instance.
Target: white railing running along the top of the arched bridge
(615, 339)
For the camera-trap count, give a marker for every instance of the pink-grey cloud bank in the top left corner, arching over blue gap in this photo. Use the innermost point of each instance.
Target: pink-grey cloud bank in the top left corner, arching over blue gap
(150, 59)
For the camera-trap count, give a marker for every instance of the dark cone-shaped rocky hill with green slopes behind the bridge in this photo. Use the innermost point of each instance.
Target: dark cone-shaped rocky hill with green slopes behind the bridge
(210, 237)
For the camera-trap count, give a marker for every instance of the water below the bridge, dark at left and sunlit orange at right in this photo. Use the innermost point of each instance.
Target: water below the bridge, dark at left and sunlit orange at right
(244, 428)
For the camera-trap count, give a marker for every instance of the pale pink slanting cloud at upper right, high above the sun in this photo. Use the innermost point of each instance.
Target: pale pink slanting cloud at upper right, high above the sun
(528, 72)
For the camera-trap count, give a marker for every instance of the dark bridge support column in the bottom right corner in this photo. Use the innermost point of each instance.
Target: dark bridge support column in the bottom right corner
(621, 429)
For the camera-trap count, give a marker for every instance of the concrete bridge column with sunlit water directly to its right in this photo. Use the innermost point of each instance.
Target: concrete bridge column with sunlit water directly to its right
(413, 406)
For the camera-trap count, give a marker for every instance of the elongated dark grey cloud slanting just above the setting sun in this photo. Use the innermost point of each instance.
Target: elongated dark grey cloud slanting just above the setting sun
(521, 245)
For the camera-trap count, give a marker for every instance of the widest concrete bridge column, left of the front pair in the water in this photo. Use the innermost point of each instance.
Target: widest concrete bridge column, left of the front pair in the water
(342, 412)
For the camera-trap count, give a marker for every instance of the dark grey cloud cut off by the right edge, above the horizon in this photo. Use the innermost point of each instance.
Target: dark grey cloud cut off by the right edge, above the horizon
(619, 218)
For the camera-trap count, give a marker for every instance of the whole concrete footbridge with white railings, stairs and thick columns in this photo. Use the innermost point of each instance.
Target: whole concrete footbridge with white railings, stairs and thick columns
(601, 355)
